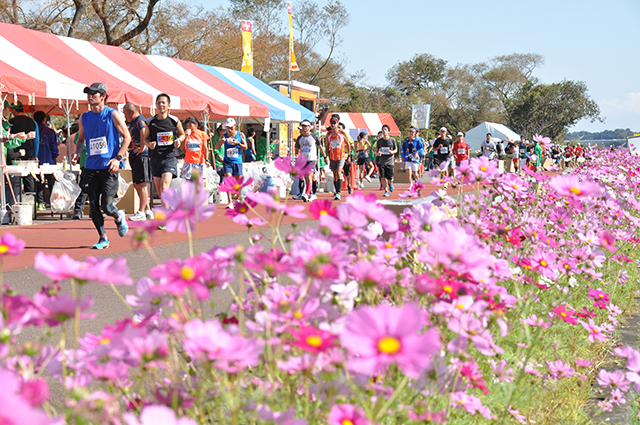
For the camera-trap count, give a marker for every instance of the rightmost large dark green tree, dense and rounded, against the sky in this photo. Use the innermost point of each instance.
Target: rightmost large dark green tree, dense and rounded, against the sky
(550, 109)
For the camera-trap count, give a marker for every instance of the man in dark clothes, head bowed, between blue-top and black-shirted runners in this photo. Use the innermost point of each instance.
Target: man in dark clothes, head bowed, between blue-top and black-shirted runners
(139, 160)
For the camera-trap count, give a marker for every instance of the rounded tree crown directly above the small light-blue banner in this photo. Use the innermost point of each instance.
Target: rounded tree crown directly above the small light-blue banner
(421, 72)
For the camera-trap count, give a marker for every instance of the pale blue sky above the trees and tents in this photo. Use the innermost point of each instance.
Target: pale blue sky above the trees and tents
(589, 40)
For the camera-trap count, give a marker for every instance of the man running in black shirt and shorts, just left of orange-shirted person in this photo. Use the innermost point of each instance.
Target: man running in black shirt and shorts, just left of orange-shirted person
(165, 138)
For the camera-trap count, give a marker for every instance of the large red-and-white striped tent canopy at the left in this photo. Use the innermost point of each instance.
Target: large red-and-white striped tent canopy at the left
(46, 70)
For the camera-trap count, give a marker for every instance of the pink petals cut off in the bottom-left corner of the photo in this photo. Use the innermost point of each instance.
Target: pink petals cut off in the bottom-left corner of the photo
(14, 408)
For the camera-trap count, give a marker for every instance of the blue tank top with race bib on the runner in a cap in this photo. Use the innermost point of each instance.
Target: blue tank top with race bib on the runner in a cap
(102, 140)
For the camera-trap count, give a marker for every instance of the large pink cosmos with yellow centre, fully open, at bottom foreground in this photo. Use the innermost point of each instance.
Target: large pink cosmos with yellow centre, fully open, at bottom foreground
(379, 336)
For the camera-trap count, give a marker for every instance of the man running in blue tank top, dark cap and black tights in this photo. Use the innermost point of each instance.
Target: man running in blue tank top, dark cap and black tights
(100, 127)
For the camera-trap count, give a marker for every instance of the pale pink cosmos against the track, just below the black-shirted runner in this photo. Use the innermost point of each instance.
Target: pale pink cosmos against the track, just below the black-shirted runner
(186, 206)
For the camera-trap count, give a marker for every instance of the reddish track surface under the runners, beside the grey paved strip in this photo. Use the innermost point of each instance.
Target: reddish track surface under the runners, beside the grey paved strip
(75, 237)
